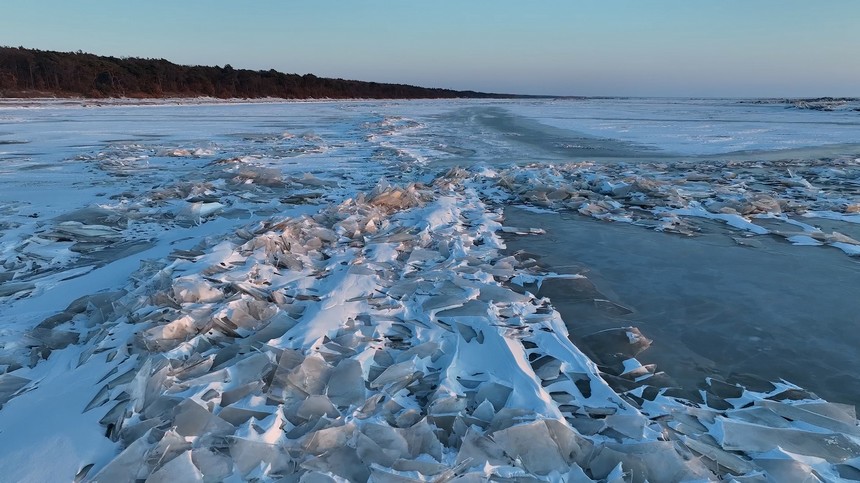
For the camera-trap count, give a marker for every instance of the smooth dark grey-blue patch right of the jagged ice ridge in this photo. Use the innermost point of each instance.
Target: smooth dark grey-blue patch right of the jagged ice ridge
(711, 307)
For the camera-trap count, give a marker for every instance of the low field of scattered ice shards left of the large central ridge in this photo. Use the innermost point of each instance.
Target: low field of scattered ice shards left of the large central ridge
(35, 253)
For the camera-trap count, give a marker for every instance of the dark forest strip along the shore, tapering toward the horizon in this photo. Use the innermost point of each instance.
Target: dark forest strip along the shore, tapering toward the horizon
(39, 73)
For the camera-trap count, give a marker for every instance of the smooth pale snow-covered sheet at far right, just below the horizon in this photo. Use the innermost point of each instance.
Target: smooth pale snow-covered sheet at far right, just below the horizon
(697, 126)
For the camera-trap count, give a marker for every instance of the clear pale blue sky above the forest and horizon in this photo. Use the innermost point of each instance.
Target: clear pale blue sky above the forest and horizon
(566, 47)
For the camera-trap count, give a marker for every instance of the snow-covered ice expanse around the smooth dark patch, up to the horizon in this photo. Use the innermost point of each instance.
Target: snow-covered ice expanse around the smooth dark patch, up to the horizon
(322, 292)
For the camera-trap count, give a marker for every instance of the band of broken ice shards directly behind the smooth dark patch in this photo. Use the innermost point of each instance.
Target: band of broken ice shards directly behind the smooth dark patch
(783, 198)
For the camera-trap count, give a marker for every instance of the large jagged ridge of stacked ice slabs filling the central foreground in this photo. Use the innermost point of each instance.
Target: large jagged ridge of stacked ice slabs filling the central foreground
(382, 339)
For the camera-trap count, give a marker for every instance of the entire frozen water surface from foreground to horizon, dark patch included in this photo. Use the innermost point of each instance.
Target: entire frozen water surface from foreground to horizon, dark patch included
(138, 239)
